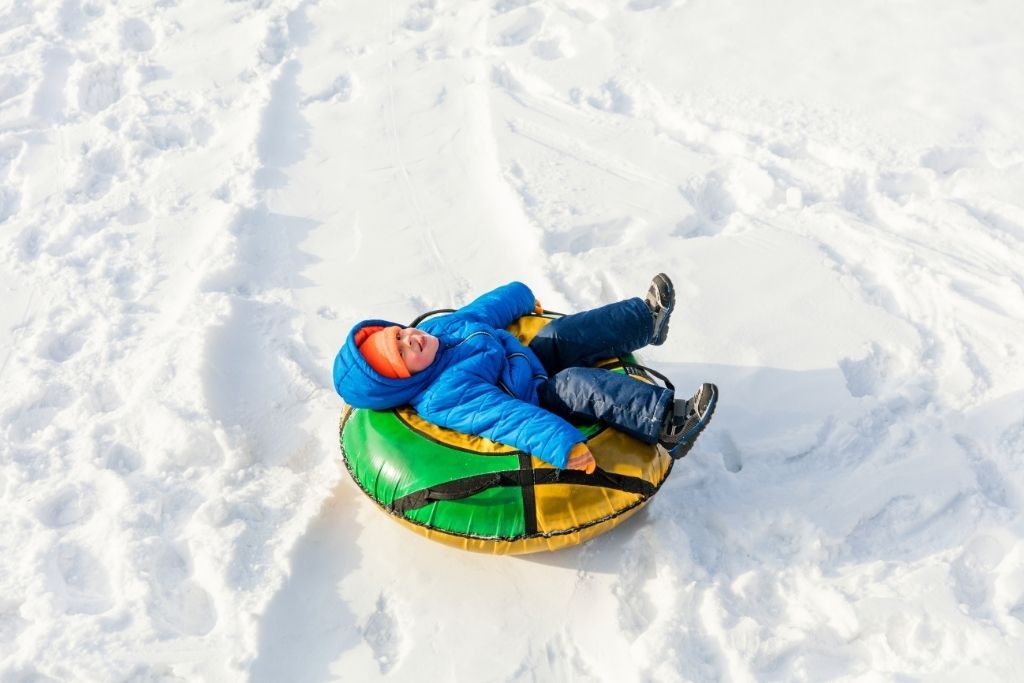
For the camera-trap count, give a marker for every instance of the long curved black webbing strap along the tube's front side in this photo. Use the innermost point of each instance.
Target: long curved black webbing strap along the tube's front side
(468, 487)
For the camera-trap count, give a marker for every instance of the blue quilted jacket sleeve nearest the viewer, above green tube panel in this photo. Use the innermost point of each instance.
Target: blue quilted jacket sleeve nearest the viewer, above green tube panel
(475, 407)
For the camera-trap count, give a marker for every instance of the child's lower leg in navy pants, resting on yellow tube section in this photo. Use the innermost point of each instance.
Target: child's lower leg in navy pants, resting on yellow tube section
(627, 404)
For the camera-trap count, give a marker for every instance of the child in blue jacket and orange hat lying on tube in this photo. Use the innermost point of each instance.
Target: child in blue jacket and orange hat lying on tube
(465, 372)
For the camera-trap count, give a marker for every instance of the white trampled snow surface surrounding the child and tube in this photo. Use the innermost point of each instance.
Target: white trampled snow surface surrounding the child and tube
(199, 198)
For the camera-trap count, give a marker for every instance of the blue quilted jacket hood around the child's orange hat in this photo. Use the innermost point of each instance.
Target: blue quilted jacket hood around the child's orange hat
(362, 387)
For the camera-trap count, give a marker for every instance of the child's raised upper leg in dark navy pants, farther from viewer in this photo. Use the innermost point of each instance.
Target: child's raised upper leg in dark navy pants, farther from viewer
(582, 339)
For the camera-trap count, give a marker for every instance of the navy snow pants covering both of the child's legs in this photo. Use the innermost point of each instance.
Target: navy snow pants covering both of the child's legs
(568, 346)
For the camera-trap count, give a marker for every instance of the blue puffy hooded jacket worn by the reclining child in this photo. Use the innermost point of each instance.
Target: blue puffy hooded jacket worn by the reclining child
(483, 381)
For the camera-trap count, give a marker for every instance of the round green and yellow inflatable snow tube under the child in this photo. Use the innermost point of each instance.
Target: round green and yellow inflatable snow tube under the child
(479, 495)
